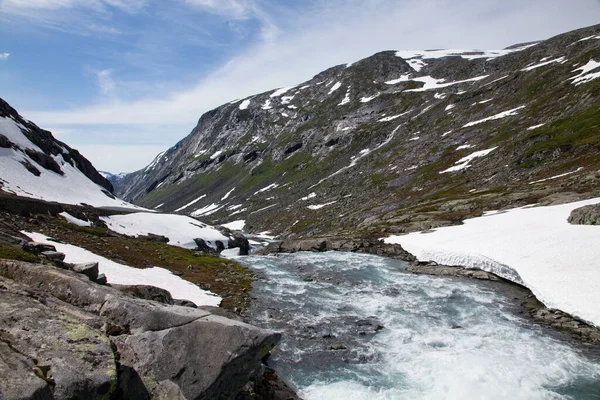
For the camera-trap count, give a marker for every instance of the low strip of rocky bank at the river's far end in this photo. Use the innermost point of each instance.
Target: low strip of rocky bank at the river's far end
(367, 246)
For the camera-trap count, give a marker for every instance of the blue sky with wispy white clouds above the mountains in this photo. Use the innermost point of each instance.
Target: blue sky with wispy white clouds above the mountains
(122, 80)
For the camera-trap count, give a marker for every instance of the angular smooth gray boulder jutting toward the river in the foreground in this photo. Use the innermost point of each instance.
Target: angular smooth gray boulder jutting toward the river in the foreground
(164, 357)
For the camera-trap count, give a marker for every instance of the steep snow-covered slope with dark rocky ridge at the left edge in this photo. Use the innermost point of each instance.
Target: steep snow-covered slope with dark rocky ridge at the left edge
(35, 164)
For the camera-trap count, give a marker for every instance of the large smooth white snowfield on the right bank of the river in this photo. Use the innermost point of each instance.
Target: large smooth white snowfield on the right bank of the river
(534, 246)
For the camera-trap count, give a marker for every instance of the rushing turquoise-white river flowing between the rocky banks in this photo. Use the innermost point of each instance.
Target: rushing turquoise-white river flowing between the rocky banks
(361, 327)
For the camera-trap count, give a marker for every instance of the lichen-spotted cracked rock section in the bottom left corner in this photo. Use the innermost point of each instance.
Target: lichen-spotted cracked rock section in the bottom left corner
(50, 349)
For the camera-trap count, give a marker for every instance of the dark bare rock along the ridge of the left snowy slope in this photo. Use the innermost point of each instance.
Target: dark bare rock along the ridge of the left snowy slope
(50, 147)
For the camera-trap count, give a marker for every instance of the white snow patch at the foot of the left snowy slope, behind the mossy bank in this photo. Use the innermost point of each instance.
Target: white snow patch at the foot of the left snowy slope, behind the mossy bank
(180, 229)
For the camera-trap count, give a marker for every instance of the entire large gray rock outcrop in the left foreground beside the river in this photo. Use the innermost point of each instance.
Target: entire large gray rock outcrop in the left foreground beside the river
(63, 336)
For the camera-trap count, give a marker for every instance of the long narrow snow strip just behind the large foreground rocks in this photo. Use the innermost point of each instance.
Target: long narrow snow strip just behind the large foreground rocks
(124, 275)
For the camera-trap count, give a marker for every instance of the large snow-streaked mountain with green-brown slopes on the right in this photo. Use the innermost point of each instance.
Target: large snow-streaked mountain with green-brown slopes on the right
(396, 142)
